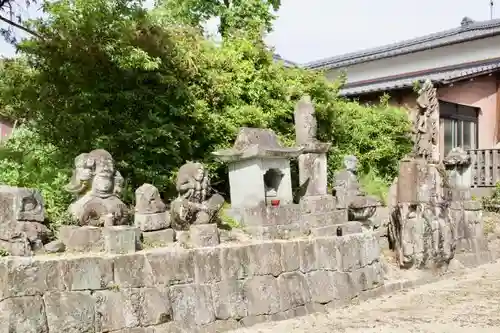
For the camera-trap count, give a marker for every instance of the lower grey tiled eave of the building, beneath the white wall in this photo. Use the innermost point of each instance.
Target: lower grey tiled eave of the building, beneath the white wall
(442, 77)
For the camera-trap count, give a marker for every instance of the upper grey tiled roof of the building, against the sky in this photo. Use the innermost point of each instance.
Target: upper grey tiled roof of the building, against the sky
(466, 32)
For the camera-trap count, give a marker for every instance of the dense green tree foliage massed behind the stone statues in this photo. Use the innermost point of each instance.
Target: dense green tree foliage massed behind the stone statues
(153, 92)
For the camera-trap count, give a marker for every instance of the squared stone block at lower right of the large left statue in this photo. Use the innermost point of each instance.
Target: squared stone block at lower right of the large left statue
(121, 239)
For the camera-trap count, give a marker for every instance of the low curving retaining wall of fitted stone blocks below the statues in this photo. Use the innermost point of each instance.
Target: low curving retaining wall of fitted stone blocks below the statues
(181, 290)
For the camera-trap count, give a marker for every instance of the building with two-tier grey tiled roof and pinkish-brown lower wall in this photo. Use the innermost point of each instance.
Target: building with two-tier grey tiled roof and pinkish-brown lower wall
(462, 62)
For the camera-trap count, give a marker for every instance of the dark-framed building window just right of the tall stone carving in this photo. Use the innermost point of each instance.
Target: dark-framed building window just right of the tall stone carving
(458, 127)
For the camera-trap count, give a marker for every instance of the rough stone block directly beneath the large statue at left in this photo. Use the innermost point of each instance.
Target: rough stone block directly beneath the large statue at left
(81, 239)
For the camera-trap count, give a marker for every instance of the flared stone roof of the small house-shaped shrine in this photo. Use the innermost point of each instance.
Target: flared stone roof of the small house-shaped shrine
(257, 143)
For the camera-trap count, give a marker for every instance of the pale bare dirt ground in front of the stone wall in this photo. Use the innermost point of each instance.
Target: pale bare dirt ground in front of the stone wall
(469, 302)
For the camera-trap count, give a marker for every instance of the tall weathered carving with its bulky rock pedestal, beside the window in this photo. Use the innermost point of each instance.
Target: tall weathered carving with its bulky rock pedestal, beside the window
(422, 231)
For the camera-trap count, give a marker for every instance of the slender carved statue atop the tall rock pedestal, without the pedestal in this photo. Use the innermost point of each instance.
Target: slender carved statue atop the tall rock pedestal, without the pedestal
(425, 124)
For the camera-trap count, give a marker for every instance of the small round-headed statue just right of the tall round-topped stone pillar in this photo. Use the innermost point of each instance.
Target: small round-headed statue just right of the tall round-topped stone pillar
(361, 207)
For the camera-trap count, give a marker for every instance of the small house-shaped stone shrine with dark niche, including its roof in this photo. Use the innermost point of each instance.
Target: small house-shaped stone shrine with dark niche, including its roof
(259, 169)
